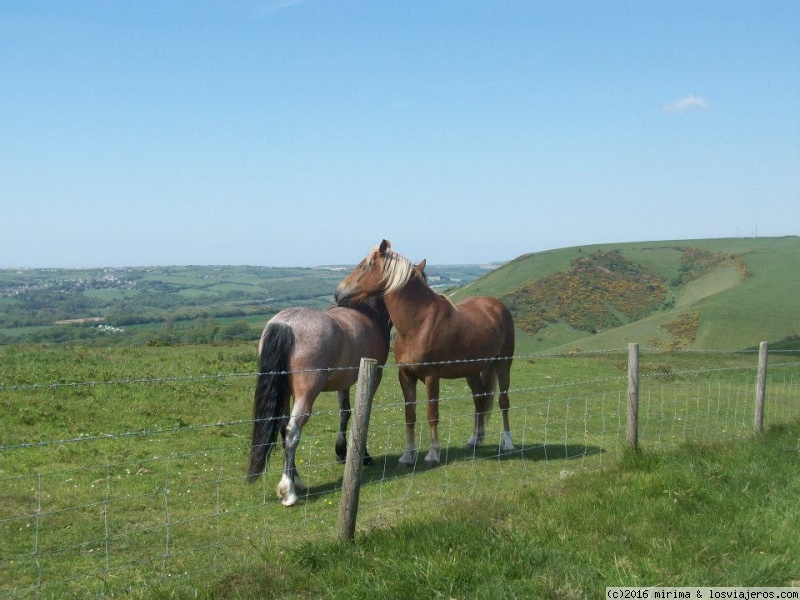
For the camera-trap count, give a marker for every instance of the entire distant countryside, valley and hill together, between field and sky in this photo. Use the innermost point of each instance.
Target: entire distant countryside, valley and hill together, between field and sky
(720, 294)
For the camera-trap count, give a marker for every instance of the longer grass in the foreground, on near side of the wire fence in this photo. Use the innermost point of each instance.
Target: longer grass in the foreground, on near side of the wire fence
(701, 515)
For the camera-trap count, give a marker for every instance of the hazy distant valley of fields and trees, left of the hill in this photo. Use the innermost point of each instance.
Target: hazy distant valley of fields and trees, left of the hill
(169, 305)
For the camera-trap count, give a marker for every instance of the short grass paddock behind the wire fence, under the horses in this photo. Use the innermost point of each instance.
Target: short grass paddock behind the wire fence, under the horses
(122, 511)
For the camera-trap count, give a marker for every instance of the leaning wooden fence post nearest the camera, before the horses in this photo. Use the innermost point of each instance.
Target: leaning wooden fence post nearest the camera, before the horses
(356, 446)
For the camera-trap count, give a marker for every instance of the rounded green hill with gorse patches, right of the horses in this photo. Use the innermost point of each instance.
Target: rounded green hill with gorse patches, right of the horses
(691, 294)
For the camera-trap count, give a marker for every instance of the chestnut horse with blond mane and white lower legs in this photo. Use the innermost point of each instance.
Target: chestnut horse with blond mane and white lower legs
(437, 339)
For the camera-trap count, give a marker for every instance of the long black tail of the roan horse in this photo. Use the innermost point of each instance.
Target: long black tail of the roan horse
(272, 391)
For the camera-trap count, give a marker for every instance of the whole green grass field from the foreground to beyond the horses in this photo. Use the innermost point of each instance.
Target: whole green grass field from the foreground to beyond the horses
(122, 473)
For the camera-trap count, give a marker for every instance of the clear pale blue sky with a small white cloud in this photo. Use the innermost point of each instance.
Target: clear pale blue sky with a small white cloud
(301, 133)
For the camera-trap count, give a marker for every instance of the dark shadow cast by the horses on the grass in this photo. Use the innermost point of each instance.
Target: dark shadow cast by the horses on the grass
(385, 467)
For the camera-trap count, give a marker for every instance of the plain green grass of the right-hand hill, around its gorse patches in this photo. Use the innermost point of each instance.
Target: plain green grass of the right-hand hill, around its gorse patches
(733, 313)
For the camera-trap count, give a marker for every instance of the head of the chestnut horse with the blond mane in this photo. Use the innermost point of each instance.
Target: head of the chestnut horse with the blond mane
(382, 271)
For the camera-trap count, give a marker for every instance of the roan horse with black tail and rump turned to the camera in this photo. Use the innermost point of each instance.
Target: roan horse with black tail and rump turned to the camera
(303, 352)
